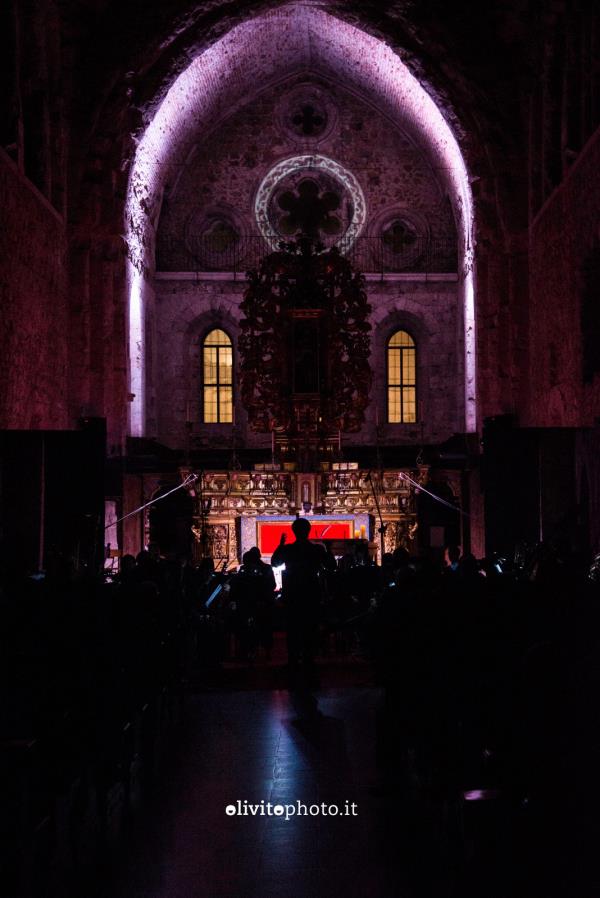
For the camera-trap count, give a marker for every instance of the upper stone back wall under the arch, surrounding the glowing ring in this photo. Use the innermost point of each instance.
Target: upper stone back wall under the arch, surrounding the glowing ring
(221, 178)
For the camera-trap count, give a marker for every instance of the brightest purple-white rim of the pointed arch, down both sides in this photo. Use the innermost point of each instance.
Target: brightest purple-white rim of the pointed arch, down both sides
(157, 146)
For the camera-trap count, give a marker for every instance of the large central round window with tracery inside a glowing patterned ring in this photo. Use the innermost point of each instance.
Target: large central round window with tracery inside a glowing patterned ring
(312, 195)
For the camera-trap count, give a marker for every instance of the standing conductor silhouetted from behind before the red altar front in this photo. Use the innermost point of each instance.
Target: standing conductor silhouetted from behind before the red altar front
(304, 564)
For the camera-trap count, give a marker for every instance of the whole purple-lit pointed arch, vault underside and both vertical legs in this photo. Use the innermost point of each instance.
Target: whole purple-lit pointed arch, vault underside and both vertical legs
(263, 51)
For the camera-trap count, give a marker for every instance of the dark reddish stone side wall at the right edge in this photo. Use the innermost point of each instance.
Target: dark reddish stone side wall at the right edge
(564, 334)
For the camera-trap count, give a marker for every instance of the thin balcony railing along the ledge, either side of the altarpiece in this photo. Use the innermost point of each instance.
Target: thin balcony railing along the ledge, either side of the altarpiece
(367, 254)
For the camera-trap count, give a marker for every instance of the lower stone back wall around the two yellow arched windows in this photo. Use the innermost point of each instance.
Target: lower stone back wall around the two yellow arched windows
(186, 309)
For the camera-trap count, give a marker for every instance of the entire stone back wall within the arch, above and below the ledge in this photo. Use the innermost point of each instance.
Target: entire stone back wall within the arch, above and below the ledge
(216, 191)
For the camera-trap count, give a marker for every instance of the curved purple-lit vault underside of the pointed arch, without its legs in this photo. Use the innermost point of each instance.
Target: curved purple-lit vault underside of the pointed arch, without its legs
(265, 49)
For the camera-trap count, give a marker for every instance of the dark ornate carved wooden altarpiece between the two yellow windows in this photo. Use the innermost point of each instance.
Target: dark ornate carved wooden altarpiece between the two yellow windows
(304, 349)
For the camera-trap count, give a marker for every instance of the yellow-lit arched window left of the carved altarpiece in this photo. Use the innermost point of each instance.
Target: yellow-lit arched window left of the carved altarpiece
(217, 367)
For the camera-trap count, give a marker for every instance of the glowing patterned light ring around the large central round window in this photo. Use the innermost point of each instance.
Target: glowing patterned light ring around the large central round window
(306, 162)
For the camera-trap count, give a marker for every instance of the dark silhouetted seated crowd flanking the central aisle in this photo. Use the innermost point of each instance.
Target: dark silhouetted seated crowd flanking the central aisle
(487, 675)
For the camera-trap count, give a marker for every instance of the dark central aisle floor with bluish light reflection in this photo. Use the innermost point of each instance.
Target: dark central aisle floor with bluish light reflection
(255, 746)
